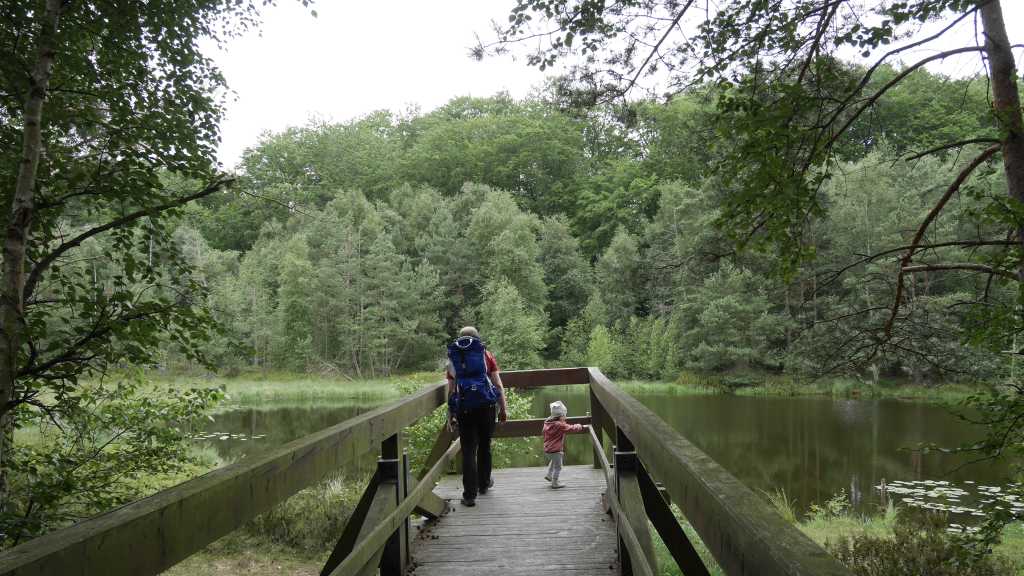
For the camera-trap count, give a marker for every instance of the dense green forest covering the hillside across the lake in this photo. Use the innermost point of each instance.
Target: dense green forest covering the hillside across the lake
(582, 236)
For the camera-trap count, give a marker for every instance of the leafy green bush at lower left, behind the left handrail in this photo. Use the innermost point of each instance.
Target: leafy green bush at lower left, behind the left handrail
(101, 447)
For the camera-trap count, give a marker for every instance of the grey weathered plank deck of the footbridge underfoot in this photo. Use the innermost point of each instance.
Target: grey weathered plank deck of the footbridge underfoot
(522, 527)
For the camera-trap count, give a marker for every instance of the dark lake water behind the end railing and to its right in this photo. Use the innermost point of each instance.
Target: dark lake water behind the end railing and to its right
(813, 448)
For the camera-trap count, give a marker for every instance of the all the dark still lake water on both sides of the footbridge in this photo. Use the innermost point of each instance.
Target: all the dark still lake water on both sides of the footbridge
(813, 448)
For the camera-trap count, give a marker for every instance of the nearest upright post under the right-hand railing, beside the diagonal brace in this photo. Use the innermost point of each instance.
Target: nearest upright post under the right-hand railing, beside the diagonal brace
(631, 503)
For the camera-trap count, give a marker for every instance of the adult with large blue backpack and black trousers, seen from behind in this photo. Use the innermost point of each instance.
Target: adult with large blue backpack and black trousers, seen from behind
(476, 393)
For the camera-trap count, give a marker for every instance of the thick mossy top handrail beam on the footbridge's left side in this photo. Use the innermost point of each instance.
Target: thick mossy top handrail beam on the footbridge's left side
(147, 538)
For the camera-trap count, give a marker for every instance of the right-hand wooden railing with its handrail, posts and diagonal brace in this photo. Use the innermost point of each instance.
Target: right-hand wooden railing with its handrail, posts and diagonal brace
(741, 530)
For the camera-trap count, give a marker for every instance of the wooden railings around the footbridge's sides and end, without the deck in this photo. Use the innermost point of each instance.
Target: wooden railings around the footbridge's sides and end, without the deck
(652, 464)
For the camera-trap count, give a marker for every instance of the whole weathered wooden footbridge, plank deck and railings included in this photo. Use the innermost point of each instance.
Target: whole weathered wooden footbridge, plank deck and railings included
(602, 524)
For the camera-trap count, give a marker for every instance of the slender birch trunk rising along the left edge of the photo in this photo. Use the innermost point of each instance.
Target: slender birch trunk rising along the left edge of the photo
(18, 232)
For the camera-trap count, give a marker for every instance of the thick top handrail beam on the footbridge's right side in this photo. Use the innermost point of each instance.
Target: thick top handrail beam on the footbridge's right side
(742, 531)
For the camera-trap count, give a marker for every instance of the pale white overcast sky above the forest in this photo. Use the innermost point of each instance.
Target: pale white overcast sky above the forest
(360, 57)
